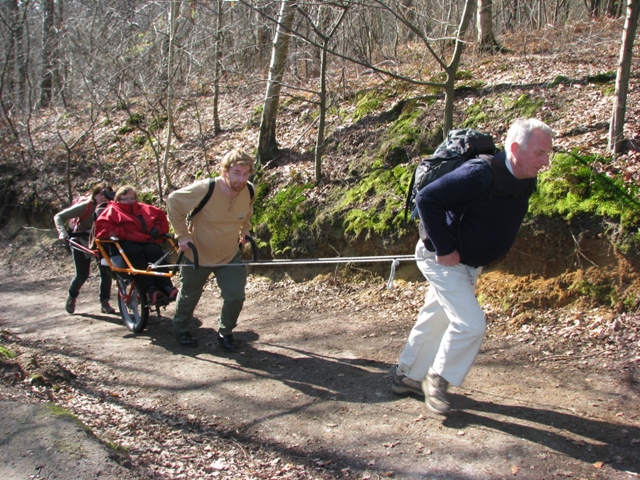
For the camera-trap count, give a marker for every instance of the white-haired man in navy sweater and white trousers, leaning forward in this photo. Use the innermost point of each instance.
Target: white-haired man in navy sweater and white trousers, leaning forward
(463, 229)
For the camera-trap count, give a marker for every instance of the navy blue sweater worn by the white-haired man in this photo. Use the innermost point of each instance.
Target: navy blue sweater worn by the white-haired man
(463, 211)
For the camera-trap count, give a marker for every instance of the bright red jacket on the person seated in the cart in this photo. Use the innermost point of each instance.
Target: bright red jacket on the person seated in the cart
(132, 221)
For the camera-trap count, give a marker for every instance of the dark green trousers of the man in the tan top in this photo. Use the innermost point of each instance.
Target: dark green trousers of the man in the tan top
(231, 280)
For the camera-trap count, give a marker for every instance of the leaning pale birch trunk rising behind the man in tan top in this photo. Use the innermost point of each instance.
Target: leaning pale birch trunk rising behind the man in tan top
(267, 144)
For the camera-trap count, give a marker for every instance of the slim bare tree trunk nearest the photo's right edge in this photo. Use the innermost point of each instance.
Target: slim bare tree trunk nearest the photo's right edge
(616, 129)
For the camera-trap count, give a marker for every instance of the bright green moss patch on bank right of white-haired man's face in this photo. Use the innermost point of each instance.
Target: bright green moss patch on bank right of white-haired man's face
(573, 187)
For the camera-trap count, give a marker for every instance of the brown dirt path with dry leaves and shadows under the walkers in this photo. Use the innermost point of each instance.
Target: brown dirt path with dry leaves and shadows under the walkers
(307, 394)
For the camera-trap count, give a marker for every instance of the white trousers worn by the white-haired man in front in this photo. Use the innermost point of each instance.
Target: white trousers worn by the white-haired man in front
(448, 333)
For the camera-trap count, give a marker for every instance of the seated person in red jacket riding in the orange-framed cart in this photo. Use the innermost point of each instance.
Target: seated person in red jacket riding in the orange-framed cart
(140, 229)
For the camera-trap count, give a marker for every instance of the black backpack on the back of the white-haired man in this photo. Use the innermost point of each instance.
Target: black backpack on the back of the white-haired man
(460, 146)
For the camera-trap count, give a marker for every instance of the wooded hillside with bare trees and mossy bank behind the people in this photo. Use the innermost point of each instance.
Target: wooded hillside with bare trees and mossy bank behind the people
(337, 100)
